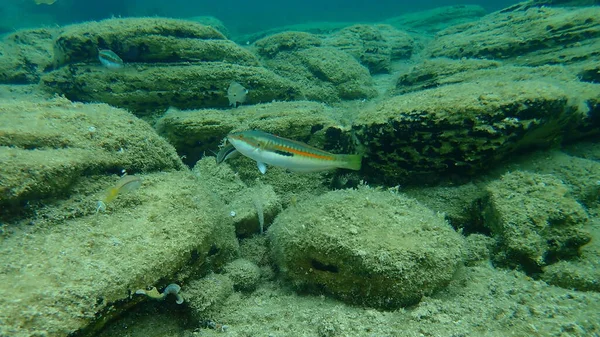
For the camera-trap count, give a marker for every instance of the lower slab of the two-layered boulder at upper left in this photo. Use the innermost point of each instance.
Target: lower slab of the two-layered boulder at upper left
(149, 88)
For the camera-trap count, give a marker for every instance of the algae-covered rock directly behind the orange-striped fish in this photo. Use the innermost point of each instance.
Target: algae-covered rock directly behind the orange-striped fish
(194, 132)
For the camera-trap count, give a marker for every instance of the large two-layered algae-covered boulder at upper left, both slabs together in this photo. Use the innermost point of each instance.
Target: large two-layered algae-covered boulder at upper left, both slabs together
(167, 63)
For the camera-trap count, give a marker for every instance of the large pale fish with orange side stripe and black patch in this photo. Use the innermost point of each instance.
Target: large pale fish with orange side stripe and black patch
(295, 156)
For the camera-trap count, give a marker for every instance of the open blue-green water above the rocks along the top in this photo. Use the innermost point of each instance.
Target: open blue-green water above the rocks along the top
(240, 16)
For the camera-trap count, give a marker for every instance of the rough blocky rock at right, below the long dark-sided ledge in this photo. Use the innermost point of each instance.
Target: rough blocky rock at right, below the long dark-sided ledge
(534, 220)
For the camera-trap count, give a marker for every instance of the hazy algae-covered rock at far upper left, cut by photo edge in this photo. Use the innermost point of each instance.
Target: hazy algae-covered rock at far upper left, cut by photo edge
(25, 55)
